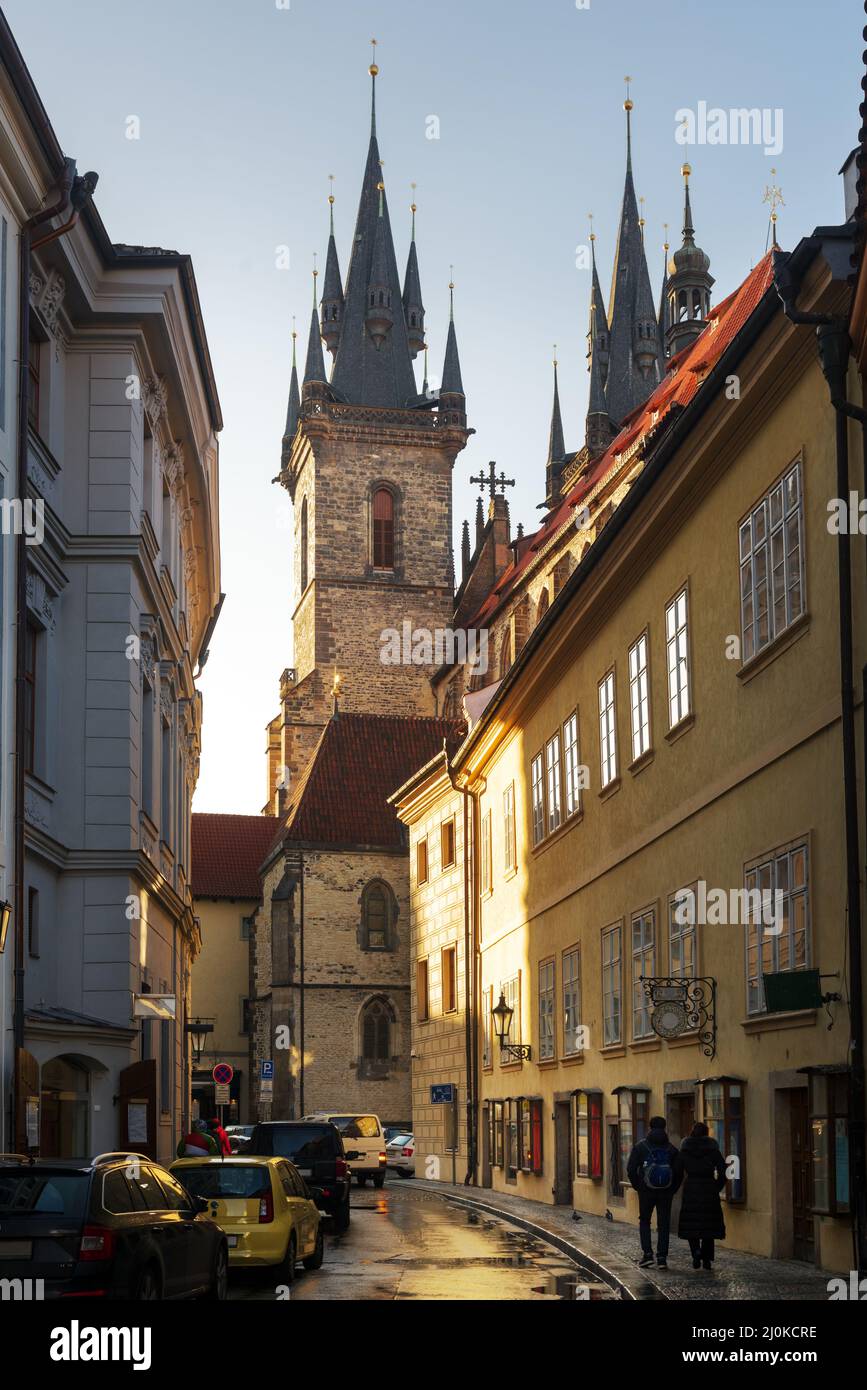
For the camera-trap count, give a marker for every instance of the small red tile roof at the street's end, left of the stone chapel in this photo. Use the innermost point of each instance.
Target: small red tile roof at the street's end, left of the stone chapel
(227, 853)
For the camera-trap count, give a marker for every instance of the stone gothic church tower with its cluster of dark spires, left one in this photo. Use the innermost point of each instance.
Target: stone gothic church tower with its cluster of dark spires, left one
(368, 461)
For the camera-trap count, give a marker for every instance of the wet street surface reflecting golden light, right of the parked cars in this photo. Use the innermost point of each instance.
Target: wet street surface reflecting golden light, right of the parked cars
(406, 1243)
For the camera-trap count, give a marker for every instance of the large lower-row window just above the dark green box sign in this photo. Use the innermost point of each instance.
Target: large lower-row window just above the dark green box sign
(779, 913)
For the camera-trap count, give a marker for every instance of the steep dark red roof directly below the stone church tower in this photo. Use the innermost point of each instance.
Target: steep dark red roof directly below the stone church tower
(361, 760)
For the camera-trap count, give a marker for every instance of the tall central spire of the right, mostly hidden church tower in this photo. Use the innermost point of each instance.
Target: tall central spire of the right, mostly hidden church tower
(634, 330)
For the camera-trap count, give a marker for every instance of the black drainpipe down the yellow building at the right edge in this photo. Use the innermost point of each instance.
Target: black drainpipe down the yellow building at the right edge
(834, 352)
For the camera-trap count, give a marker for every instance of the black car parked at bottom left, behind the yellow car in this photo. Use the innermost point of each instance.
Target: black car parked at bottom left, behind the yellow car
(117, 1227)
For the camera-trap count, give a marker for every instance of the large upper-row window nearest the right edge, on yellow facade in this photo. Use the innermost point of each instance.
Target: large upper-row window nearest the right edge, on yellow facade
(770, 544)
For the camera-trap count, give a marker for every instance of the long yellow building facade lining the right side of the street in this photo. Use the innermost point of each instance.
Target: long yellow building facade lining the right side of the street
(670, 742)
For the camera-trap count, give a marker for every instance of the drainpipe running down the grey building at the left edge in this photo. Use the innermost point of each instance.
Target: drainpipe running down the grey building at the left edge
(74, 193)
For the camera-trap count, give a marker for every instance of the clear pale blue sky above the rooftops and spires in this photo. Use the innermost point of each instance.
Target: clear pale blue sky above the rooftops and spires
(247, 109)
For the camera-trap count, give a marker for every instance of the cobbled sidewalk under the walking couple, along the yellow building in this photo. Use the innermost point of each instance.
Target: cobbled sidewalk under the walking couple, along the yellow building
(611, 1252)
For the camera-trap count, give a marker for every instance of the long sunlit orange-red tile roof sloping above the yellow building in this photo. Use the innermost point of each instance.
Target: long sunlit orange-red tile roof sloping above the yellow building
(683, 379)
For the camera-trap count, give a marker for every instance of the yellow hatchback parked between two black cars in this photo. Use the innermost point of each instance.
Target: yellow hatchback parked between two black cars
(265, 1209)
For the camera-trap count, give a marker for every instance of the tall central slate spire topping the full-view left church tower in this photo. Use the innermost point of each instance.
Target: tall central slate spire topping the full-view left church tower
(373, 369)
